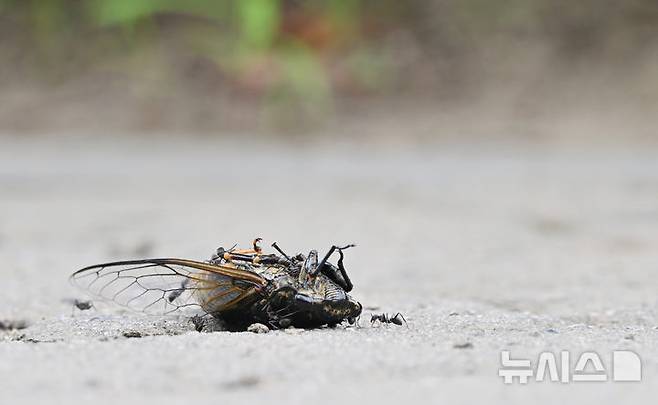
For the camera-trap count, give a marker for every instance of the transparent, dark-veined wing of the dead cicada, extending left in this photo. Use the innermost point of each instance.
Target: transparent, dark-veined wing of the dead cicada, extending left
(164, 286)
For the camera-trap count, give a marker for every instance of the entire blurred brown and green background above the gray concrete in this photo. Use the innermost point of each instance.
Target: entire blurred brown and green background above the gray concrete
(377, 69)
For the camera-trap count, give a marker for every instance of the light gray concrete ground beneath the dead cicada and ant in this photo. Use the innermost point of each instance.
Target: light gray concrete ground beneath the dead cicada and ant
(483, 247)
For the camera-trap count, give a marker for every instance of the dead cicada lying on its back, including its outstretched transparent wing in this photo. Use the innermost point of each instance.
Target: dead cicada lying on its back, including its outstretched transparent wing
(237, 286)
